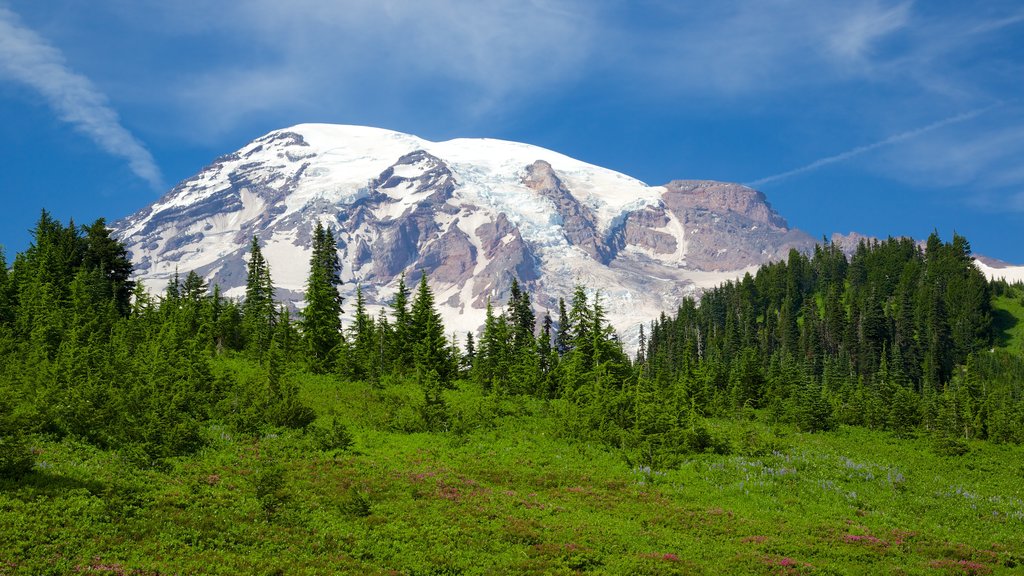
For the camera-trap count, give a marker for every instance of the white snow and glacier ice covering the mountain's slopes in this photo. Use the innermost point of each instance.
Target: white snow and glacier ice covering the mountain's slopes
(335, 169)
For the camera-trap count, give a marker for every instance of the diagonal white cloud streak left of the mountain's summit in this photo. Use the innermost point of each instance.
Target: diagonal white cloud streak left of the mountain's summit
(29, 59)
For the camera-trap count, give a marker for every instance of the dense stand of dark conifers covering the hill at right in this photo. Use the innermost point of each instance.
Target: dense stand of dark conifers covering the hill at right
(899, 338)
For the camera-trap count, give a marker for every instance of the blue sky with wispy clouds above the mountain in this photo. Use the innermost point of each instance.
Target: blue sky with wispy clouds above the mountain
(880, 117)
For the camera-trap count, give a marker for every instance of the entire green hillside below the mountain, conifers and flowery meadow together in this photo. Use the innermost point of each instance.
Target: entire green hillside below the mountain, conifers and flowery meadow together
(830, 415)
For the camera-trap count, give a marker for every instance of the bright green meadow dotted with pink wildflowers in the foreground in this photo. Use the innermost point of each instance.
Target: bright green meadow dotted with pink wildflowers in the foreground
(501, 492)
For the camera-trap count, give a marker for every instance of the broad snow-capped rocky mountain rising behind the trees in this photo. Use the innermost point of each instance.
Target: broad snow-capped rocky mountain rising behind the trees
(473, 214)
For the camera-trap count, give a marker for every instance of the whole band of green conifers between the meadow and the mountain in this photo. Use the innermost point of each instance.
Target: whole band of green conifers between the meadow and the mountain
(899, 337)
